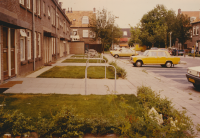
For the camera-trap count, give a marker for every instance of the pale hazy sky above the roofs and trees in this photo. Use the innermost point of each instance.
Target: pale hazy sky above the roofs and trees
(130, 11)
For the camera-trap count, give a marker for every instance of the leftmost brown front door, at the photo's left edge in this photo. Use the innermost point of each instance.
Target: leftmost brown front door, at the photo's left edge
(5, 53)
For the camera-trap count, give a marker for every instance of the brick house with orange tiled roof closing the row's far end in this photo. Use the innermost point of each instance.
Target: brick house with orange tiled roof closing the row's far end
(81, 35)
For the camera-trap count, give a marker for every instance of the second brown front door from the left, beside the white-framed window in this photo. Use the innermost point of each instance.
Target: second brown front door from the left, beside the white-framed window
(12, 42)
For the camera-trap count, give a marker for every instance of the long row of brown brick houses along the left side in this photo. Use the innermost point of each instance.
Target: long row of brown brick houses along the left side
(31, 36)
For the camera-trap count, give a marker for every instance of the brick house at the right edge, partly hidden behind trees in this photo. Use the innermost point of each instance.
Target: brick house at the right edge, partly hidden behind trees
(194, 17)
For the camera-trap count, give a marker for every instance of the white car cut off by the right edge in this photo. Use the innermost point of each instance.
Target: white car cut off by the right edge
(193, 76)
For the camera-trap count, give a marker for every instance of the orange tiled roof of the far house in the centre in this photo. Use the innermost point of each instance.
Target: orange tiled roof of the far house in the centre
(76, 17)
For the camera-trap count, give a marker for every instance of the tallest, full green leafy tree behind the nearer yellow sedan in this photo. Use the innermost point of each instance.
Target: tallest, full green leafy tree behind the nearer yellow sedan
(155, 26)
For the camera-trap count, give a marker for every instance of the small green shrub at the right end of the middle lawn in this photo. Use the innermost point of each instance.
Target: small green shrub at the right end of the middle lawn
(119, 71)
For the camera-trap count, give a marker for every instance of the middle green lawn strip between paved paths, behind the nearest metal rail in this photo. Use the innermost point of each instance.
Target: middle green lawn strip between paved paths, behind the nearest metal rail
(77, 72)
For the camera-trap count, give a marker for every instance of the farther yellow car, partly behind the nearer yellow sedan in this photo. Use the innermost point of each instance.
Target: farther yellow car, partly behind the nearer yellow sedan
(124, 53)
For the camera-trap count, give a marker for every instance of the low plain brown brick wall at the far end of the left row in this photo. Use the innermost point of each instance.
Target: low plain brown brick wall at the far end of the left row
(77, 47)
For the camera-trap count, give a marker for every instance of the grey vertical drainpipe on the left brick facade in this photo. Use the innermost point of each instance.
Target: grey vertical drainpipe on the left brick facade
(33, 34)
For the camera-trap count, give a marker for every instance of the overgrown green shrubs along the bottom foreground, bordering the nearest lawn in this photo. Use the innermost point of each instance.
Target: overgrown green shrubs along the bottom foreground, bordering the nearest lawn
(123, 119)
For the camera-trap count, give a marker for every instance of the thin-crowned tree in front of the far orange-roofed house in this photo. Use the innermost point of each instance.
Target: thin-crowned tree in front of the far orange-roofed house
(104, 28)
